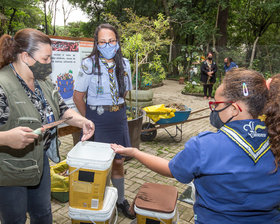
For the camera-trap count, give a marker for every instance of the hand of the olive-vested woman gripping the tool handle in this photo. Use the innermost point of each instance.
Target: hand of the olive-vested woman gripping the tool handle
(18, 138)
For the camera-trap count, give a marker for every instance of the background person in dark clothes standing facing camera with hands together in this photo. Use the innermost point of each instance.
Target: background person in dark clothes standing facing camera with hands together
(208, 75)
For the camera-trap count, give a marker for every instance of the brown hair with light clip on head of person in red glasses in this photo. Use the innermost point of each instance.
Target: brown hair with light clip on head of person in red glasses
(234, 81)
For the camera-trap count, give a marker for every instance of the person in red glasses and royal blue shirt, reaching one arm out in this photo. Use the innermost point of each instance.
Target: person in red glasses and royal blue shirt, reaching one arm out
(233, 169)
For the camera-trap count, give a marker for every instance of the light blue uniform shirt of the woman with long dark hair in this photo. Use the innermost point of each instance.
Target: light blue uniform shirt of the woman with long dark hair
(99, 93)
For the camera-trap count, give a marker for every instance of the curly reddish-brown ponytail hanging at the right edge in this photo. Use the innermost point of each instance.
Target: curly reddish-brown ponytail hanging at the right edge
(272, 121)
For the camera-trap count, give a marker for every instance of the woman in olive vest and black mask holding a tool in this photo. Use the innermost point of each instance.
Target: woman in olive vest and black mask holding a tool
(28, 101)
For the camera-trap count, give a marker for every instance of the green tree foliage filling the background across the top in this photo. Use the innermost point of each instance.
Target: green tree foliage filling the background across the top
(247, 30)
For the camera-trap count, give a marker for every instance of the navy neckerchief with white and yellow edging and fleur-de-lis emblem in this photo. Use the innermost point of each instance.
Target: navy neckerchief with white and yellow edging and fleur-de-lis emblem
(250, 135)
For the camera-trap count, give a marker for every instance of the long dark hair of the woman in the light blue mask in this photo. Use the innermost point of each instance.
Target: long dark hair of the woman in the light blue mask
(118, 57)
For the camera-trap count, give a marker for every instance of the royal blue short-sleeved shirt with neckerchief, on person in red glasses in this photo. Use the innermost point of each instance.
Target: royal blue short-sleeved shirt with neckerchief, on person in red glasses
(233, 175)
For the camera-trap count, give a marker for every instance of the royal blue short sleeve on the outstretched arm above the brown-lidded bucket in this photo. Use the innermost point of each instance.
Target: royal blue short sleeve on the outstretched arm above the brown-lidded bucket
(185, 166)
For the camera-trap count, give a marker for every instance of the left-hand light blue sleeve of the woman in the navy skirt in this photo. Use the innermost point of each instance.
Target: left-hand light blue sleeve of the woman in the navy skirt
(83, 79)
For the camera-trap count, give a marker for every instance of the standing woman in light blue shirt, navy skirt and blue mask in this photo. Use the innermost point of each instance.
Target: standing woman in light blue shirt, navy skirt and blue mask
(105, 78)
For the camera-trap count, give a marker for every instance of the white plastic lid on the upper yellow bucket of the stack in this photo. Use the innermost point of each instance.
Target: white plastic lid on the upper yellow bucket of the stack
(91, 155)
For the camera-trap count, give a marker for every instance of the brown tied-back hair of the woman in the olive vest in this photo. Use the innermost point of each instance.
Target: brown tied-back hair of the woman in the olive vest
(25, 40)
